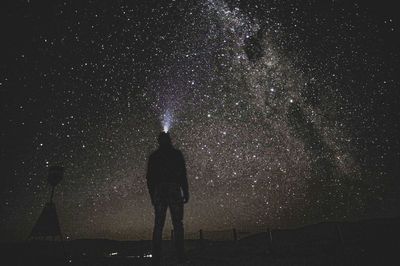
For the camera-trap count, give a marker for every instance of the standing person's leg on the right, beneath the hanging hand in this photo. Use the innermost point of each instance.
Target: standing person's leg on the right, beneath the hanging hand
(177, 217)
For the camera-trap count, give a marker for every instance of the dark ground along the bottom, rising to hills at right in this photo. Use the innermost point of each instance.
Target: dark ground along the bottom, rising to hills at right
(370, 242)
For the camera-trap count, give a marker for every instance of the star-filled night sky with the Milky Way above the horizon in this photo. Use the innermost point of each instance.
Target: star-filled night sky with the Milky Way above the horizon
(287, 112)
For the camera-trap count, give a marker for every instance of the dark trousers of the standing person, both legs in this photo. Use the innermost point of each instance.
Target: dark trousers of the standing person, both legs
(160, 210)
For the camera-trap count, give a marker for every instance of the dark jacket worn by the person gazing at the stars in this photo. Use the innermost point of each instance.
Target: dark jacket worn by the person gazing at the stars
(166, 175)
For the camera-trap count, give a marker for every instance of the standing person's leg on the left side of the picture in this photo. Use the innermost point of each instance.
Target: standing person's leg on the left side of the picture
(160, 211)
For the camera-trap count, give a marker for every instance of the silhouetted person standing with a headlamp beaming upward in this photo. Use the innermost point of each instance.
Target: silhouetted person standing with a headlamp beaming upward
(166, 181)
